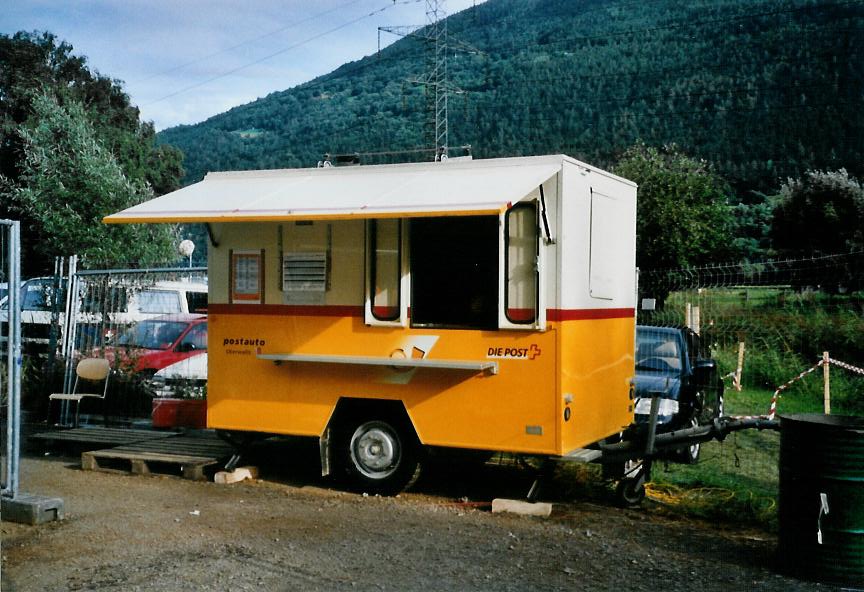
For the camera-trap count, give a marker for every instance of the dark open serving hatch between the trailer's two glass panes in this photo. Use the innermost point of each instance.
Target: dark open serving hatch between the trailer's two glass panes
(454, 272)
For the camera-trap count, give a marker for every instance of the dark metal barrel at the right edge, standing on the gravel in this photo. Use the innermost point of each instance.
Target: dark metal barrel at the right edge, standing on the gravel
(822, 498)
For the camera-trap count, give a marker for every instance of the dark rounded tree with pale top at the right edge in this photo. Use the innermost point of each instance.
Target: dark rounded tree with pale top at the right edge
(821, 213)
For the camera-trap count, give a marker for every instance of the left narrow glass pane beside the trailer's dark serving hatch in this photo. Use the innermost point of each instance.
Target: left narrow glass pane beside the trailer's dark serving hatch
(385, 268)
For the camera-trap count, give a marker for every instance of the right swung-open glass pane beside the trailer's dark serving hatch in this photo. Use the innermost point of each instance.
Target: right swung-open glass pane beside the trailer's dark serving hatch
(520, 303)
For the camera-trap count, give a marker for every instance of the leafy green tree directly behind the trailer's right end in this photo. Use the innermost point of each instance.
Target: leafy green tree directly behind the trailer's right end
(682, 214)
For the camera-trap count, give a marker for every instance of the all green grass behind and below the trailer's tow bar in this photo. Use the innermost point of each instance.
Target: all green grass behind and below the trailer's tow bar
(785, 332)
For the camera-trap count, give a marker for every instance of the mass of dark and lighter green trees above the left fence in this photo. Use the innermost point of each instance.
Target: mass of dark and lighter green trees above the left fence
(98, 131)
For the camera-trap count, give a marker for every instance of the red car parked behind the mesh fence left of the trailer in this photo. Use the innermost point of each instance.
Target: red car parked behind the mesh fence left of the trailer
(153, 344)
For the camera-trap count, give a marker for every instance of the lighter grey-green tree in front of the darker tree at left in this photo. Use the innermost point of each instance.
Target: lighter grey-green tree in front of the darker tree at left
(67, 182)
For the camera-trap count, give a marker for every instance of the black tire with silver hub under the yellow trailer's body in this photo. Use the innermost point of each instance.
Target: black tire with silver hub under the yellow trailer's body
(378, 455)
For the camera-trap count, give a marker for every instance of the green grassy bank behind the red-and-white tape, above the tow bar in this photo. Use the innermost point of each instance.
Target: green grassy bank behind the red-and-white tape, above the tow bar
(785, 332)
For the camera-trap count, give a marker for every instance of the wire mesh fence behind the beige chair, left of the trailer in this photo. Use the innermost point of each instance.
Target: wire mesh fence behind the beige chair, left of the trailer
(141, 320)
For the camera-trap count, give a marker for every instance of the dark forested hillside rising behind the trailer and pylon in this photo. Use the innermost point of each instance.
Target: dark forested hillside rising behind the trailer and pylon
(763, 89)
